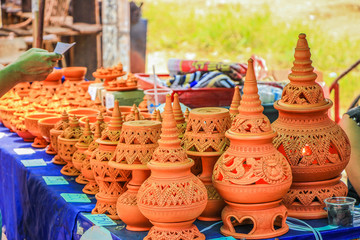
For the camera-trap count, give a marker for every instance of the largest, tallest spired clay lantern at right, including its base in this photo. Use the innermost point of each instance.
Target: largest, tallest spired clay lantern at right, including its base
(315, 146)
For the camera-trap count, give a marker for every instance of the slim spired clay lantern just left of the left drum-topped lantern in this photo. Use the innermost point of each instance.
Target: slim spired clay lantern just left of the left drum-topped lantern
(112, 182)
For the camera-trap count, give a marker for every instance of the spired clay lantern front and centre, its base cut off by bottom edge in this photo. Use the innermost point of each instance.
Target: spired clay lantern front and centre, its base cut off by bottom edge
(172, 197)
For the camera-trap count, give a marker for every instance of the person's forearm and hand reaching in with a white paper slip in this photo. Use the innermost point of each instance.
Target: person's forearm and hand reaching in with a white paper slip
(33, 65)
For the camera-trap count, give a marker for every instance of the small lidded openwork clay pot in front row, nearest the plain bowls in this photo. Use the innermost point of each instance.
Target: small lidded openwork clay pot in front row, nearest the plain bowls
(66, 146)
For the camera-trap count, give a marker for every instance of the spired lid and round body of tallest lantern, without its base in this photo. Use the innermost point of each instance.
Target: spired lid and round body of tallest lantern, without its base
(303, 120)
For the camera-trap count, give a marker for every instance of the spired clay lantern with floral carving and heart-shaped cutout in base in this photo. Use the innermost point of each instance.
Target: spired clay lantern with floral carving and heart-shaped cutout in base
(251, 175)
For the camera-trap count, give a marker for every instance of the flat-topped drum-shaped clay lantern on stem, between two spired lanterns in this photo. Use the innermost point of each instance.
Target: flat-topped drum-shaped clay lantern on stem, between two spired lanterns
(205, 137)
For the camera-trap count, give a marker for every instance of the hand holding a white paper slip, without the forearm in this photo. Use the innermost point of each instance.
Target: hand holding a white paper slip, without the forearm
(35, 65)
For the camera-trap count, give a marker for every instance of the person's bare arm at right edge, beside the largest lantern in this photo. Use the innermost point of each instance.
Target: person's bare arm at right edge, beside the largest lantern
(353, 168)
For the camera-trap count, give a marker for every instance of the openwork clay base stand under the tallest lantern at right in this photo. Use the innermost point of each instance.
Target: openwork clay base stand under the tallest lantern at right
(305, 200)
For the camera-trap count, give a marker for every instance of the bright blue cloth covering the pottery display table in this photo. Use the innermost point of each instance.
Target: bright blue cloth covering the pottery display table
(32, 209)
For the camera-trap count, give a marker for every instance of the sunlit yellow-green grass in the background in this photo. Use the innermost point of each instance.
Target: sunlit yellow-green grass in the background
(227, 32)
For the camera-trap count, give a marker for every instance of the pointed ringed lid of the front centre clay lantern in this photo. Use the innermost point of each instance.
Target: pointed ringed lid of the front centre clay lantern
(169, 149)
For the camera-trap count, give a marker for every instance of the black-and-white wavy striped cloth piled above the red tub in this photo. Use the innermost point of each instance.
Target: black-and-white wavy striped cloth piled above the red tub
(201, 80)
